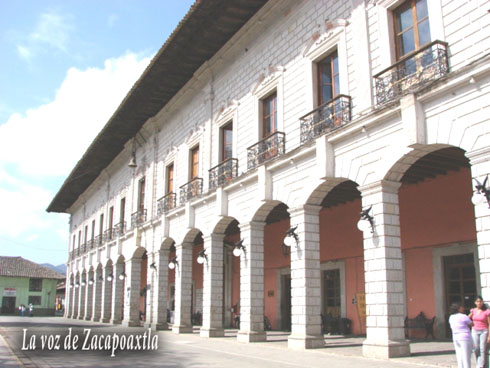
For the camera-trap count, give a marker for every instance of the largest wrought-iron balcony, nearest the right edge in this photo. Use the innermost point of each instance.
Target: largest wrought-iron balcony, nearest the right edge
(415, 71)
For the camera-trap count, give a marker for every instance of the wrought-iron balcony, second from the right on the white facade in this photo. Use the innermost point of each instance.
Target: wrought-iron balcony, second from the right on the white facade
(325, 118)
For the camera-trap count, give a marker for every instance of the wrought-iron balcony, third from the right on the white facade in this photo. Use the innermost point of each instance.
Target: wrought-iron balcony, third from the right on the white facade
(265, 150)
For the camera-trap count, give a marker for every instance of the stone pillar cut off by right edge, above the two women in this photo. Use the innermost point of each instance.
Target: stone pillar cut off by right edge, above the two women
(480, 169)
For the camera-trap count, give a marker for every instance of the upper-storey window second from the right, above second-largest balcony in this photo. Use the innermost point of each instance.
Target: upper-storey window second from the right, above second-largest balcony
(328, 78)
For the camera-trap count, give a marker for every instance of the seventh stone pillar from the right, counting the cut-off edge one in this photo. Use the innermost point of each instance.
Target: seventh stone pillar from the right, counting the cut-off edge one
(157, 308)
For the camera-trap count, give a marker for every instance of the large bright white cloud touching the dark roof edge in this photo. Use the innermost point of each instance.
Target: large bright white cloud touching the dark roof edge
(48, 140)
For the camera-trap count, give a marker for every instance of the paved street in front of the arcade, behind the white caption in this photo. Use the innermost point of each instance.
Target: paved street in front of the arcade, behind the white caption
(191, 350)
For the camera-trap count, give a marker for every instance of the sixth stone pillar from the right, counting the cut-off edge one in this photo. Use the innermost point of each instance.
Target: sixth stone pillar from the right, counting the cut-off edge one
(183, 289)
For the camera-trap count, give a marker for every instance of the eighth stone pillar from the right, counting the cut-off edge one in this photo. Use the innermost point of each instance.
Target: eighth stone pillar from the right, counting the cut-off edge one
(132, 293)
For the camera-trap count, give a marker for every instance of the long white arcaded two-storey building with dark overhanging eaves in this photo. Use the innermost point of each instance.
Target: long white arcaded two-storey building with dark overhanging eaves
(277, 127)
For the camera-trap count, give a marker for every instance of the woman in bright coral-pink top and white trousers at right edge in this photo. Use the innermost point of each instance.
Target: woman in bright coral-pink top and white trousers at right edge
(481, 320)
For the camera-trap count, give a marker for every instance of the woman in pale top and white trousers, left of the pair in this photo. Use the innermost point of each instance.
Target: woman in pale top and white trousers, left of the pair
(460, 325)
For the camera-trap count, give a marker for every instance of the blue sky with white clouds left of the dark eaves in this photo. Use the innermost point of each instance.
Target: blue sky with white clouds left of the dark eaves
(65, 66)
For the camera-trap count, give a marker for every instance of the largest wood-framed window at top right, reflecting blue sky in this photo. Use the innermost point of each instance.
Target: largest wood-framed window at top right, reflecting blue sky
(411, 26)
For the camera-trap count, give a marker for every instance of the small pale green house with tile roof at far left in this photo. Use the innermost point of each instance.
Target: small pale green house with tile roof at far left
(25, 282)
